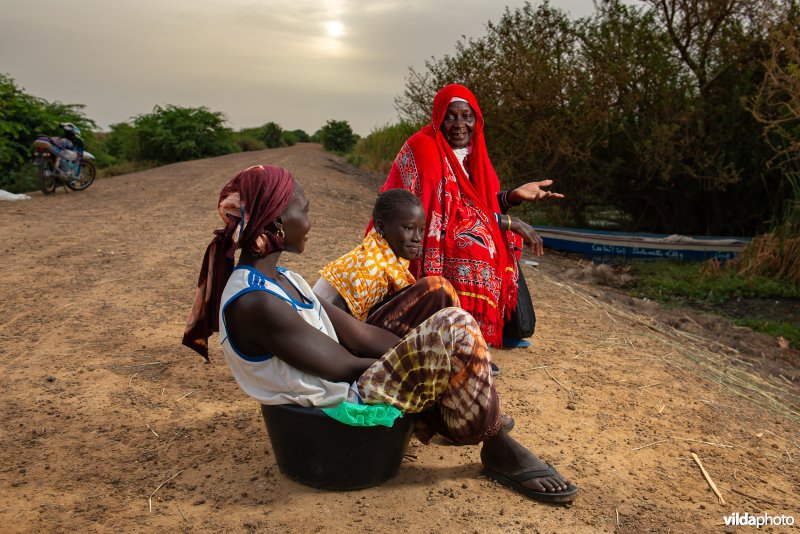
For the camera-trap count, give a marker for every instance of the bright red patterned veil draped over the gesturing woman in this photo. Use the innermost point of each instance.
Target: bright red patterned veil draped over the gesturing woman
(463, 241)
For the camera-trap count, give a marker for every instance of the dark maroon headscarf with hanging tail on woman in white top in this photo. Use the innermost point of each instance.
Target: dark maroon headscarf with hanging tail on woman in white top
(247, 204)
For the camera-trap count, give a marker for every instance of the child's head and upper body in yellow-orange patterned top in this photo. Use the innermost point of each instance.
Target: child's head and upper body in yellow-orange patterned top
(378, 268)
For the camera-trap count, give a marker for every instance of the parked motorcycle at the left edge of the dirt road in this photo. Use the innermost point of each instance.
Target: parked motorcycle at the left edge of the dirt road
(58, 163)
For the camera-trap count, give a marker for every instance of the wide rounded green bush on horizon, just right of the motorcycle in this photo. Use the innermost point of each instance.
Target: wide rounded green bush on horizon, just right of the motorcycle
(173, 133)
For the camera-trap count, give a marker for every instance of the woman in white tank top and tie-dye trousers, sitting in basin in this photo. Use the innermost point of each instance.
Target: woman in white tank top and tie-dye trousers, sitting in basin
(285, 346)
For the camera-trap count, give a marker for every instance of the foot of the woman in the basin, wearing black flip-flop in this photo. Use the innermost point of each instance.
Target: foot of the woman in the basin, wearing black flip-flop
(505, 456)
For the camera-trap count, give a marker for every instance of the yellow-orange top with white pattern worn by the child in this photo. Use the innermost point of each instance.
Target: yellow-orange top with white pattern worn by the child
(367, 274)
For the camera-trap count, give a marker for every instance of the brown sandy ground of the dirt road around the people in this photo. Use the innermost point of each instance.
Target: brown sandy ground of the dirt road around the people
(109, 424)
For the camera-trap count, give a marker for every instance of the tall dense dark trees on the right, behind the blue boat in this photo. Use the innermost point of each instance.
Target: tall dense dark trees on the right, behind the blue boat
(667, 116)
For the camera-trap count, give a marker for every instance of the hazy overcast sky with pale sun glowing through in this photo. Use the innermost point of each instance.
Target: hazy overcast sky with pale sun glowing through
(295, 62)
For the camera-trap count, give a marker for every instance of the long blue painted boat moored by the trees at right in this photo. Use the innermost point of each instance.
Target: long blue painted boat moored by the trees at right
(601, 244)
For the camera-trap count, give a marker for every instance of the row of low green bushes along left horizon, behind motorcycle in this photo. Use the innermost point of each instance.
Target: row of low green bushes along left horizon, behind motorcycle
(167, 134)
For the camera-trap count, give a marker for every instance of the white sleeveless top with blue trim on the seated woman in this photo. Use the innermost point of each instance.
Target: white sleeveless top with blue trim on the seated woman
(267, 378)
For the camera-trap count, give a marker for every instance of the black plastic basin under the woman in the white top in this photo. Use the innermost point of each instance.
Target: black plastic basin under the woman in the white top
(318, 451)
